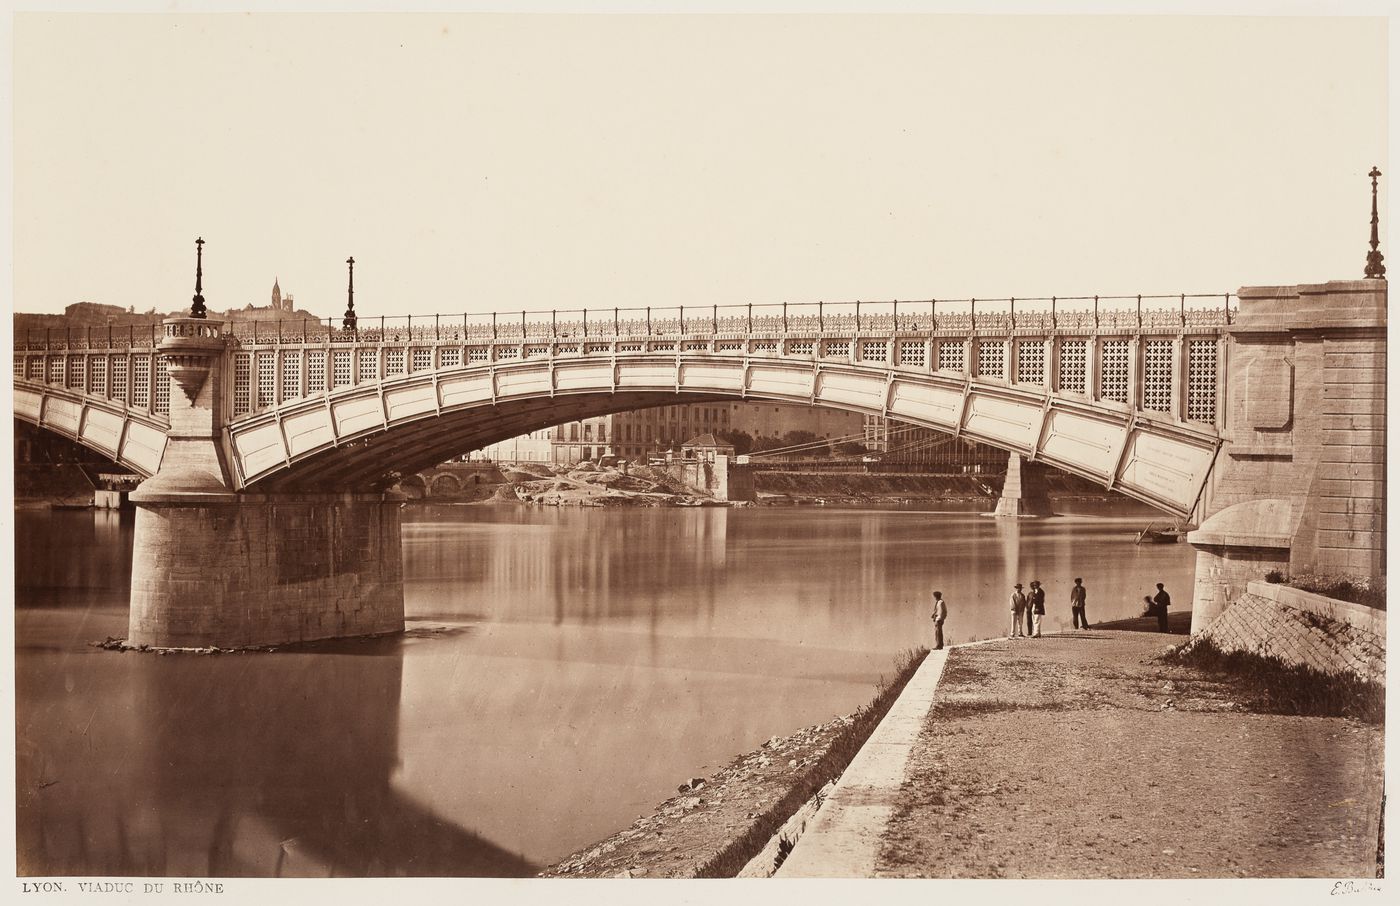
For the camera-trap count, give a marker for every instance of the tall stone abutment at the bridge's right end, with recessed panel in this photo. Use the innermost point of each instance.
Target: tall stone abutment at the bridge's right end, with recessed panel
(1300, 480)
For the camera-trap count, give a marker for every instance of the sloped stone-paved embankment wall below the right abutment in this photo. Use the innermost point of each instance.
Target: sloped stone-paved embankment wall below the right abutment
(1305, 629)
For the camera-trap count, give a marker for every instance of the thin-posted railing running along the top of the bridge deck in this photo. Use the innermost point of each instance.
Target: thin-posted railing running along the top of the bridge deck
(1077, 313)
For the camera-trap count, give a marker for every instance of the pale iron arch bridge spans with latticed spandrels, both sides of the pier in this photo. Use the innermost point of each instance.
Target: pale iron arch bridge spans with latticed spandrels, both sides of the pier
(1125, 391)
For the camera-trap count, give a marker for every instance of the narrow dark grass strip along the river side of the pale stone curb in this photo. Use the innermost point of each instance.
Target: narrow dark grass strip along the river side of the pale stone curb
(838, 757)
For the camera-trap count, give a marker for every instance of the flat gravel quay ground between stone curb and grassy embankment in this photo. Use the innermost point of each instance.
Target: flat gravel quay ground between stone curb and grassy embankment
(1076, 757)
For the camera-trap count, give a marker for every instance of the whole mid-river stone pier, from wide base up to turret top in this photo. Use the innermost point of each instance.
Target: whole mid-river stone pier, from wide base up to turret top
(225, 569)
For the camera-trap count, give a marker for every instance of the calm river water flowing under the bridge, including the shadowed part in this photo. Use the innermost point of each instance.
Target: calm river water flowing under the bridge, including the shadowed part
(563, 671)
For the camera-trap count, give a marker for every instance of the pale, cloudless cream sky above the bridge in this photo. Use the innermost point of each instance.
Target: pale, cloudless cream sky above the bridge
(478, 163)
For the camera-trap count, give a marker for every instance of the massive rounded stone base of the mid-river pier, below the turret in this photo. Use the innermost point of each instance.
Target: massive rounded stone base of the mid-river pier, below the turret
(234, 571)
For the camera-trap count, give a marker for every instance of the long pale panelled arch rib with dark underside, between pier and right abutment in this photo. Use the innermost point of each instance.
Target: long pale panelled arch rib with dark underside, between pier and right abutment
(355, 436)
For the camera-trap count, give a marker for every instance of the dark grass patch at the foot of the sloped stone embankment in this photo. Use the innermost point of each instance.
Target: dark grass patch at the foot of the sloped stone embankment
(1277, 688)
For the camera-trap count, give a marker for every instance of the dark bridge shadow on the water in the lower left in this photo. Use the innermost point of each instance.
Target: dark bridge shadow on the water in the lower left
(251, 765)
